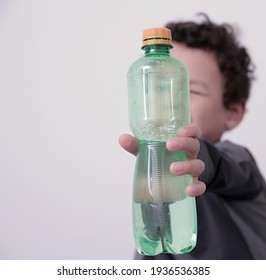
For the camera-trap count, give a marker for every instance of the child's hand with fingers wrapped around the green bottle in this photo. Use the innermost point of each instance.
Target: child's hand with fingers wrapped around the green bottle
(187, 141)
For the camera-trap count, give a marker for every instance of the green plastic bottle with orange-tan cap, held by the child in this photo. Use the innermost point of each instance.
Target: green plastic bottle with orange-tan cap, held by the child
(164, 216)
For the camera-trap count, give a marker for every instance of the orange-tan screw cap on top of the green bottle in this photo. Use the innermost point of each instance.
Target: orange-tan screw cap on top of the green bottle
(152, 36)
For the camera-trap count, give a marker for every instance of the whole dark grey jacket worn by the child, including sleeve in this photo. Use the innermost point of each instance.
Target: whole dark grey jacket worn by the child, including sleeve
(232, 211)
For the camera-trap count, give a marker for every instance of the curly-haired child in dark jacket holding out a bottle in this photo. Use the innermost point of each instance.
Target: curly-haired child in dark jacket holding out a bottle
(232, 210)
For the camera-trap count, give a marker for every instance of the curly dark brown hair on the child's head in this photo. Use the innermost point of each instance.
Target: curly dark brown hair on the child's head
(233, 59)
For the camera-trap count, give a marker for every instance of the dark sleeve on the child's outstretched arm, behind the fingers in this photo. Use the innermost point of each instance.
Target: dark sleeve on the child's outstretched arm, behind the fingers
(230, 170)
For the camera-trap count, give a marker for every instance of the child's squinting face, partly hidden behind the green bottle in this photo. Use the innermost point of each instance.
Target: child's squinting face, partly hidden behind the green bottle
(206, 88)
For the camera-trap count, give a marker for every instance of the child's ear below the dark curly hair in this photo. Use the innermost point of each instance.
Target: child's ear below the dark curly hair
(235, 114)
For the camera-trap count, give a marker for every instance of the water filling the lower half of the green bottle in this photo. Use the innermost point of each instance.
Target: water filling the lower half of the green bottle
(164, 217)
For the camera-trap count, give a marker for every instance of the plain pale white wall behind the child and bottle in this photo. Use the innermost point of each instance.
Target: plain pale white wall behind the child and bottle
(65, 184)
